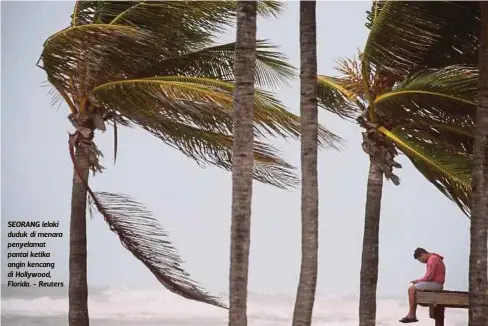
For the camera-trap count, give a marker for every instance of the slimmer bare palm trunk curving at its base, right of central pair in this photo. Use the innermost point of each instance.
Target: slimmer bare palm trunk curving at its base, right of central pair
(305, 298)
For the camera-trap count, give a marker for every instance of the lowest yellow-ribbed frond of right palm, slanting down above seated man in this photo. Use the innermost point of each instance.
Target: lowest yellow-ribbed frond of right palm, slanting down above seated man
(448, 170)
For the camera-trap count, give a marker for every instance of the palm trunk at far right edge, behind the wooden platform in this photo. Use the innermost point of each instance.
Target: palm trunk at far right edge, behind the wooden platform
(478, 283)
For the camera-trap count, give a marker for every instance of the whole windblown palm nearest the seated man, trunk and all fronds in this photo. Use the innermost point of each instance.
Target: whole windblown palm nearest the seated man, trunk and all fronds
(403, 105)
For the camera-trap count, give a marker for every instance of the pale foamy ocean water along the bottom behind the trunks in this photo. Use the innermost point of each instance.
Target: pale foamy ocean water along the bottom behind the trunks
(138, 307)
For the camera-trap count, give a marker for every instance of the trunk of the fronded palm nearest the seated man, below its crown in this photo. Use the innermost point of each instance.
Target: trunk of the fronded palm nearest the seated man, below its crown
(369, 262)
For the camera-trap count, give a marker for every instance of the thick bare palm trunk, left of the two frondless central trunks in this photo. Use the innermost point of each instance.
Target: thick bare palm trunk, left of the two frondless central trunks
(242, 160)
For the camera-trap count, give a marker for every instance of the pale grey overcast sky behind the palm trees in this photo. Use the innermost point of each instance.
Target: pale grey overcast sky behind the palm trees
(194, 203)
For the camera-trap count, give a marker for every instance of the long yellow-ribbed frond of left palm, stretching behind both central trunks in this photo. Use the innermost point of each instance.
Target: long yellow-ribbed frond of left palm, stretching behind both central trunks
(202, 102)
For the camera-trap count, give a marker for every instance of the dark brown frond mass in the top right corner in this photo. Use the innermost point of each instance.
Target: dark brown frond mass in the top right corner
(409, 36)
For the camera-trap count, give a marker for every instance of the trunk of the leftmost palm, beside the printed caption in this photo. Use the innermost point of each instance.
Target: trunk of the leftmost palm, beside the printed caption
(78, 286)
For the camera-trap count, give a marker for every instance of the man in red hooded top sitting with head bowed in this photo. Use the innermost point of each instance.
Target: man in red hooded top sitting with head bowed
(433, 279)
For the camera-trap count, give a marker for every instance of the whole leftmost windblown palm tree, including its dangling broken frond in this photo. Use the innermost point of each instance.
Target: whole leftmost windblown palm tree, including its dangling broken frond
(137, 64)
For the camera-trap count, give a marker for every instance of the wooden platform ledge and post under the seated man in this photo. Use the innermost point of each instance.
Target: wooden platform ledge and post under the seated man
(438, 301)
